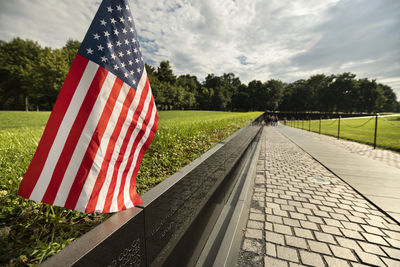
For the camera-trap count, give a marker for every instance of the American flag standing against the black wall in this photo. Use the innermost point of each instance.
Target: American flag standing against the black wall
(101, 125)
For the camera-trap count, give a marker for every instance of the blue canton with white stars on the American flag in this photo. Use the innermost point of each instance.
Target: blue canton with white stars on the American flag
(112, 43)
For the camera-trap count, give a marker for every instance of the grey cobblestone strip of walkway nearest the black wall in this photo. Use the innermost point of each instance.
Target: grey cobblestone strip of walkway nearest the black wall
(295, 222)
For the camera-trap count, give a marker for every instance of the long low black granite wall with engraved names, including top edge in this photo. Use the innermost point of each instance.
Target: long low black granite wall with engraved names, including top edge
(173, 224)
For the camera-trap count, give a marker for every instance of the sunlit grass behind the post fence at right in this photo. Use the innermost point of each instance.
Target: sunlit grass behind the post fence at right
(360, 130)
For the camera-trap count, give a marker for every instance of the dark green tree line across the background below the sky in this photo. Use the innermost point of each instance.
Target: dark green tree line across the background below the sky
(31, 77)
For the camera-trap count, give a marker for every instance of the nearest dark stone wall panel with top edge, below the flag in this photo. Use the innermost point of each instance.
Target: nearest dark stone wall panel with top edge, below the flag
(119, 241)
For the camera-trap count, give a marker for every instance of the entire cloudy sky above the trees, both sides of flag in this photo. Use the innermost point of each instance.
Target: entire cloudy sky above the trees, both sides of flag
(254, 39)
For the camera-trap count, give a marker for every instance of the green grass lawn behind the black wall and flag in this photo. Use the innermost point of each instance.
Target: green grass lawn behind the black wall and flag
(30, 231)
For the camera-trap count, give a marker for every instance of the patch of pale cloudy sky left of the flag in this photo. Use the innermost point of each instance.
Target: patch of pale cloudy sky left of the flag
(49, 22)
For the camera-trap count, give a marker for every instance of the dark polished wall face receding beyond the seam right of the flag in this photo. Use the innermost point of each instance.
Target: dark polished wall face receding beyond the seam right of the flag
(168, 217)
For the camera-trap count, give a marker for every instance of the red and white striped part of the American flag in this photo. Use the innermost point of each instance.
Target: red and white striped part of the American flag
(93, 143)
